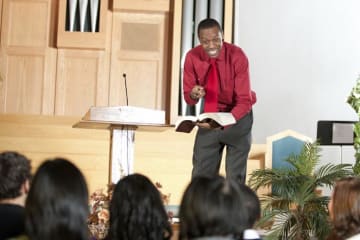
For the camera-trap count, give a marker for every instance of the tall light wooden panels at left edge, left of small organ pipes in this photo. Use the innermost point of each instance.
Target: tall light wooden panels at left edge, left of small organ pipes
(27, 68)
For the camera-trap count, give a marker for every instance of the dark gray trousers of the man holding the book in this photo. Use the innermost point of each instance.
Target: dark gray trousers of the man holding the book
(209, 146)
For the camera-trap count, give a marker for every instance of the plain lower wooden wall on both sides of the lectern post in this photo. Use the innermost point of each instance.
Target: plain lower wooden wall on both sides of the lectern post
(164, 157)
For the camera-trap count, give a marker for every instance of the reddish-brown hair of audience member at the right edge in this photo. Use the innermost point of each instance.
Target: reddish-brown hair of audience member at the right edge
(344, 207)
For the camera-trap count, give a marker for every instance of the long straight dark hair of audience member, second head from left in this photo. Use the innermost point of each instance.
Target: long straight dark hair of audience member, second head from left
(57, 204)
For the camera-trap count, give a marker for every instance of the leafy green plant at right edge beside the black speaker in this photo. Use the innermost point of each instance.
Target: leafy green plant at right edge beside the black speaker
(354, 101)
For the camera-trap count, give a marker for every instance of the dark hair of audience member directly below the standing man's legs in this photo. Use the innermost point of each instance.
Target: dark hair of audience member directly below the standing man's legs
(212, 207)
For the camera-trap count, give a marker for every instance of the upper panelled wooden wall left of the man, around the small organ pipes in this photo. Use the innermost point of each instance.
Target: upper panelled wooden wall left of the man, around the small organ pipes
(47, 70)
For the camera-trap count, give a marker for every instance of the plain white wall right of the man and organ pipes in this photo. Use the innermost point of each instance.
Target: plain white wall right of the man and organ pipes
(304, 60)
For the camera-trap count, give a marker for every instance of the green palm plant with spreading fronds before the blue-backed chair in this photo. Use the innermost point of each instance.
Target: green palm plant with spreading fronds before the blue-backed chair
(294, 207)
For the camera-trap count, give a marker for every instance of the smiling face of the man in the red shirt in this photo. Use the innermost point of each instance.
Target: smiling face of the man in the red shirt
(211, 40)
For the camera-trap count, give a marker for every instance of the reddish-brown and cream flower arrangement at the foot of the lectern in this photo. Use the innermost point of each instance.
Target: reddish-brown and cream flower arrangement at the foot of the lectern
(99, 204)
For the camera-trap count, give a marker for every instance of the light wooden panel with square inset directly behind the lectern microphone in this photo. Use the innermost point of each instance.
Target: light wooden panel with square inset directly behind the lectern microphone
(139, 49)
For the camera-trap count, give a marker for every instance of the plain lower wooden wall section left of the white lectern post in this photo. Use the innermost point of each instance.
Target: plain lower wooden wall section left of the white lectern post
(43, 137)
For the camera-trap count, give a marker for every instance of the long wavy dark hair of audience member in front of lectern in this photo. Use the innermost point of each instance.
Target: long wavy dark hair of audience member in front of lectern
(137, 211)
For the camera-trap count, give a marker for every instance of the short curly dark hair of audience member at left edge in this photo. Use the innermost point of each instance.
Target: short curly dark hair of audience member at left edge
(15, 169)
